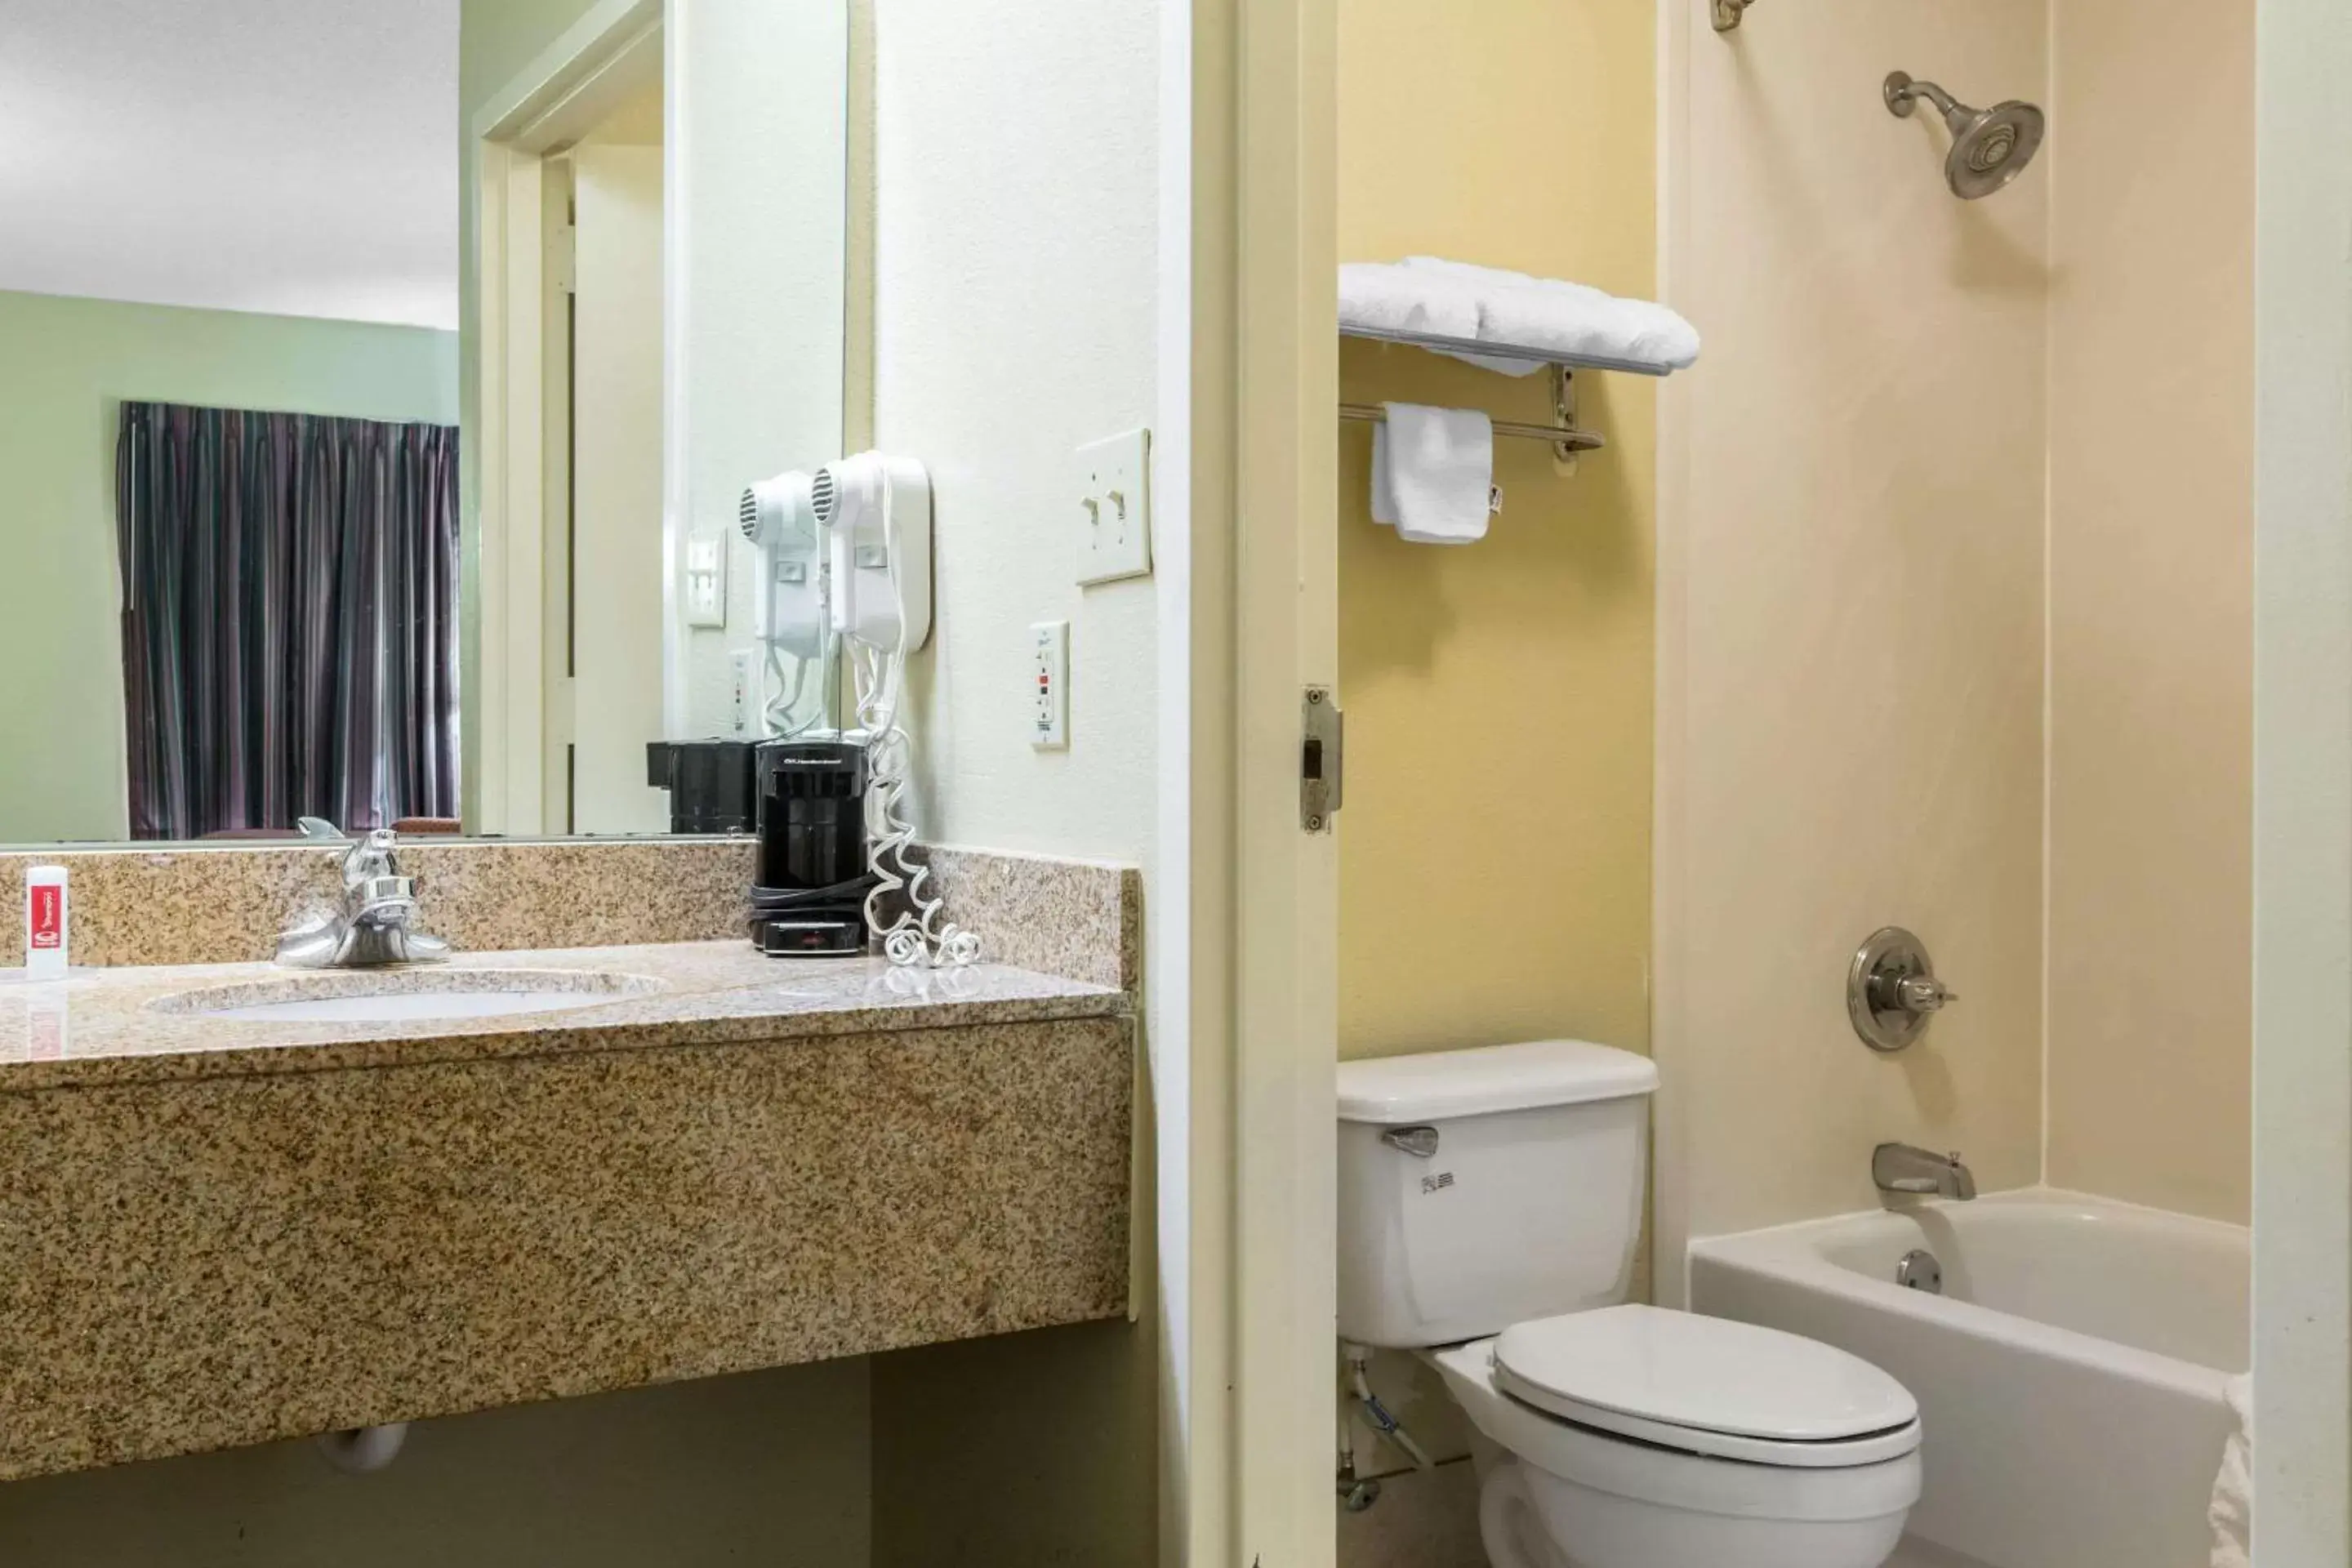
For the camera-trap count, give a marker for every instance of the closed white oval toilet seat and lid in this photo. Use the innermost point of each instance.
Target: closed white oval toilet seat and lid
(1709, 1386)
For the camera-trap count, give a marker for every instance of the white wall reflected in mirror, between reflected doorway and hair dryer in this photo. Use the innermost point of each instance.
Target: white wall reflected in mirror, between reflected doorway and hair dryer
(759, 130)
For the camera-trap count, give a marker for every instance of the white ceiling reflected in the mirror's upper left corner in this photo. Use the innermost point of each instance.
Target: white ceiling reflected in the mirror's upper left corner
(286, 156)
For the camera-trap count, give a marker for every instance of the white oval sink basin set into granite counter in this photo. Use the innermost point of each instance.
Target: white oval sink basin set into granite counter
(408, 996)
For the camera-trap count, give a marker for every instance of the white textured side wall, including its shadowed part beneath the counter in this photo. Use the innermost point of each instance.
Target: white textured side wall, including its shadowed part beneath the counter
(1017, 311)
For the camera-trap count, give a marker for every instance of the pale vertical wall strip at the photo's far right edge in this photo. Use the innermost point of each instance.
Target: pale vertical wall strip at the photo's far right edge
(2304, 784)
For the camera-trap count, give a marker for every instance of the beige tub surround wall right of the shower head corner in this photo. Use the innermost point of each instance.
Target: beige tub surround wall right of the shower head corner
(2151, 909)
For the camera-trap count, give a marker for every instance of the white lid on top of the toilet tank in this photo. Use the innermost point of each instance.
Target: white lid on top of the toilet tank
(1438, 1085)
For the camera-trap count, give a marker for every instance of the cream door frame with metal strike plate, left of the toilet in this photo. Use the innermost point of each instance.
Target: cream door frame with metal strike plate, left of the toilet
(1257, 394)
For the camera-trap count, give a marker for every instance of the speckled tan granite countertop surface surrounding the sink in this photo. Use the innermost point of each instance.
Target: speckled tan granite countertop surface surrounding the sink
(121, 1026)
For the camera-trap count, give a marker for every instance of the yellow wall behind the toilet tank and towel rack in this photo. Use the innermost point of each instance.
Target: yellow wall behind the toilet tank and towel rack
(1495, 845)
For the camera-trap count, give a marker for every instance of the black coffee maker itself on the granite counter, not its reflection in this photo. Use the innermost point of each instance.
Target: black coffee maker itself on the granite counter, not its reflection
(810, 899)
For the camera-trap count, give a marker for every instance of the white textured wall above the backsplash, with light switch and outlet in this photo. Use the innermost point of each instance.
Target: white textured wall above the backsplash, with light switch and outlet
(1015, 283)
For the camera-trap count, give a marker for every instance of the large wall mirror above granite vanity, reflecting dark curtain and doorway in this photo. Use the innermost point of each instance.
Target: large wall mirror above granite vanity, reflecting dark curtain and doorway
(380, 391)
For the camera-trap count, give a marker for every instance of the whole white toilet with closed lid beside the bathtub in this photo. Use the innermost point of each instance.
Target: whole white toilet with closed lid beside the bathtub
(1490, 1205)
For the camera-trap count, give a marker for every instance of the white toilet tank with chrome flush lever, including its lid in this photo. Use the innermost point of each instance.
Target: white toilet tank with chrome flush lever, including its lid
(1485, 1188)
